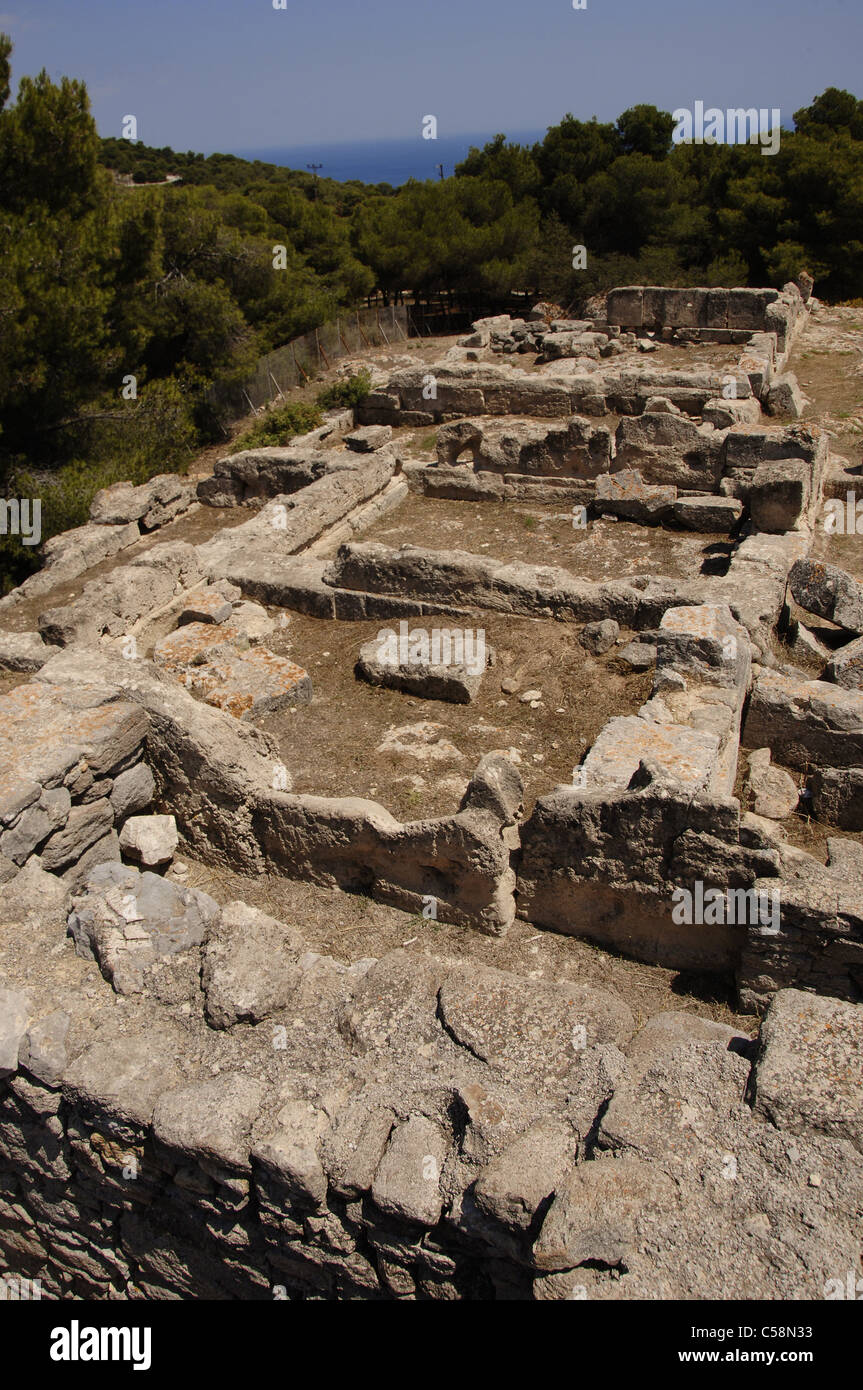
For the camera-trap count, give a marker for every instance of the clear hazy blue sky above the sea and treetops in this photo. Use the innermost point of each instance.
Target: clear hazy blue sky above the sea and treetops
(238, 74)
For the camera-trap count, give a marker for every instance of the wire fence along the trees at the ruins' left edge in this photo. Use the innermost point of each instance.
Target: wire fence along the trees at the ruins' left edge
(304, 359)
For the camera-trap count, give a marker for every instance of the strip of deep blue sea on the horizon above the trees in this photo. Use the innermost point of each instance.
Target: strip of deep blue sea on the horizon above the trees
(384, 162)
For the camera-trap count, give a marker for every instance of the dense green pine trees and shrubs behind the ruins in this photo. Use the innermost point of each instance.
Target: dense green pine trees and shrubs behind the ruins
(127, 302)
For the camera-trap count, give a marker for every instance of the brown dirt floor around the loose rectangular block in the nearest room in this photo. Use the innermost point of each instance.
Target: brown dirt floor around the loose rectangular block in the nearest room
(334, 747)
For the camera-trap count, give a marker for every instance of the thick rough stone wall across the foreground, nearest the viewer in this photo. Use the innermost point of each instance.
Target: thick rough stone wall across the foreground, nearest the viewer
(262, 1122)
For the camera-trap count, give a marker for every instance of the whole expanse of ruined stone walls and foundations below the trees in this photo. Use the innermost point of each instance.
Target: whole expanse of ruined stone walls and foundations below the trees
(195, 1102)
